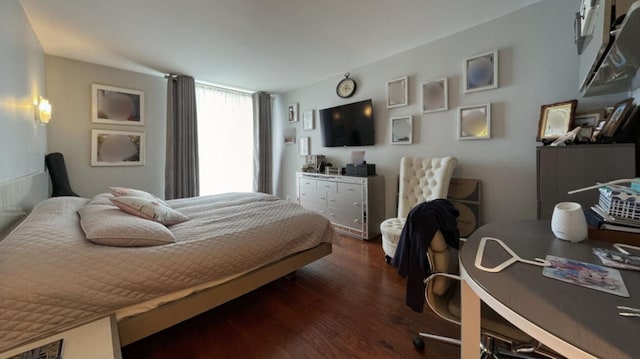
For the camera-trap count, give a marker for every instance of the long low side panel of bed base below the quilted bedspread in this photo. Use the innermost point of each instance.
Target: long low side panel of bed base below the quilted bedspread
(142, 325)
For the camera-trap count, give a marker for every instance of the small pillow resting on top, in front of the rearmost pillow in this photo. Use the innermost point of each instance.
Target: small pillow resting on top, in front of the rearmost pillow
(149, 209)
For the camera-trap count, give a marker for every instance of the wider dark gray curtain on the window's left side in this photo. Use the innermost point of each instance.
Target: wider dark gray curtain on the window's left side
(181, 170)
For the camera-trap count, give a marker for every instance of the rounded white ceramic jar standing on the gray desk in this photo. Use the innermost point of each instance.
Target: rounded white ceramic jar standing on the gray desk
(568, 222)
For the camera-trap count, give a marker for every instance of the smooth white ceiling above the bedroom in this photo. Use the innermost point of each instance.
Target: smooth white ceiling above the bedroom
(269, 45)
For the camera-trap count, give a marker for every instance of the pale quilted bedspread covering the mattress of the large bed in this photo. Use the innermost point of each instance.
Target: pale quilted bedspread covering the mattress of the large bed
(52, 278)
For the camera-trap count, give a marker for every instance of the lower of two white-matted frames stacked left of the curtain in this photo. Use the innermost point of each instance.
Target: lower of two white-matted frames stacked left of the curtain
(117, 148)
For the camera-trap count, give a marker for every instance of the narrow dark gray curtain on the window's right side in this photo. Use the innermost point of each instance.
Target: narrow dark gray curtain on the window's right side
(262, 152)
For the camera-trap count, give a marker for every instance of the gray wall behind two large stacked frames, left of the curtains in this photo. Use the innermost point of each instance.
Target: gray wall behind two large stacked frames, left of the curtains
(69, 88)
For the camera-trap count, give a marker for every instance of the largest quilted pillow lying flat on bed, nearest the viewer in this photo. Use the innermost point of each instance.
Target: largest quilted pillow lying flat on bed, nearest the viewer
(107, 225)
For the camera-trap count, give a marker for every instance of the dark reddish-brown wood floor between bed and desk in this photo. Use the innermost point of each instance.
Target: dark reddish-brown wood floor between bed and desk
(347, 305)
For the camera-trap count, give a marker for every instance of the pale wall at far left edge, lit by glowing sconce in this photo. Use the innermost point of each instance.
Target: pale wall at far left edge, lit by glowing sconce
(22, 74)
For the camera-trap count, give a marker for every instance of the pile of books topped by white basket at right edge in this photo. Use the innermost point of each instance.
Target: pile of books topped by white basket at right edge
(618, 209)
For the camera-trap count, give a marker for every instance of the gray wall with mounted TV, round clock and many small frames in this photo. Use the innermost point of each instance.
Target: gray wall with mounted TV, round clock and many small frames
(538, 65)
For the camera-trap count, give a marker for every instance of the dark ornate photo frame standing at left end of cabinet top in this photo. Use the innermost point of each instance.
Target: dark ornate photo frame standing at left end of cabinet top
(556, 119)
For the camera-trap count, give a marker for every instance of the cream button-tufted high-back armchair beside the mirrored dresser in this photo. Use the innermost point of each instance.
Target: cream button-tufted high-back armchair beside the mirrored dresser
(421, 179)
